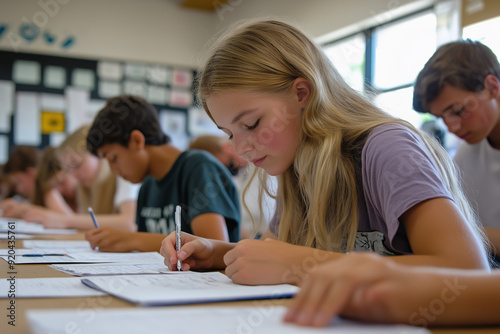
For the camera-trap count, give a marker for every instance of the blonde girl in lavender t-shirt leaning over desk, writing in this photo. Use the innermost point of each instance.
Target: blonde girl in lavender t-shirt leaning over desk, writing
(351, 177)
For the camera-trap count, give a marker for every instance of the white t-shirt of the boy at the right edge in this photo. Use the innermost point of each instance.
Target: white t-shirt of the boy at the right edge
(480, 167)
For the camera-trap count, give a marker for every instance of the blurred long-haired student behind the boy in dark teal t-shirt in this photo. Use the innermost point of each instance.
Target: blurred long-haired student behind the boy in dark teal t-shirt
(112, 198)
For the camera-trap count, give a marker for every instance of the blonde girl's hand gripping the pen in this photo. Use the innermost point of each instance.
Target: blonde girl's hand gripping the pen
(195, 253)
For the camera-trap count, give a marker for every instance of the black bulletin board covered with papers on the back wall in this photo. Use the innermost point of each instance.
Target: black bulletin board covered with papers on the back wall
(43, 98)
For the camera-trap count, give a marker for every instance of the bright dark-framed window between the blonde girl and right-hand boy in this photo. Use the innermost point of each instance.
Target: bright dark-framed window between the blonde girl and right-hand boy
(387, 58)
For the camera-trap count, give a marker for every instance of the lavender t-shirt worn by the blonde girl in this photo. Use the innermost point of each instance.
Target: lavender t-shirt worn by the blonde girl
(398, 172)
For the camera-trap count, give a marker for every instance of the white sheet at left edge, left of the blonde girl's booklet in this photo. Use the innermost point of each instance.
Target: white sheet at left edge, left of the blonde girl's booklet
(47, 287)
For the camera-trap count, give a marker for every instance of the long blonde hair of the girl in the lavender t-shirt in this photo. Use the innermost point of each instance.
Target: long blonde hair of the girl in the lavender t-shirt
(318, 192)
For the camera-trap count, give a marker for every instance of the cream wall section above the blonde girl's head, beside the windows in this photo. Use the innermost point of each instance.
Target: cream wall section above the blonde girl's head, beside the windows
(322, 19)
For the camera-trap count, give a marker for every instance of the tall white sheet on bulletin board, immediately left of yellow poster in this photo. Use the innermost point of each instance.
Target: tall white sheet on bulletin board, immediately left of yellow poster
(27, 108)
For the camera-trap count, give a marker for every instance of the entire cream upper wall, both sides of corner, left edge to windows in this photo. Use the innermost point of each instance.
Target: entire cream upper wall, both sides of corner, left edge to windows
(161, 31)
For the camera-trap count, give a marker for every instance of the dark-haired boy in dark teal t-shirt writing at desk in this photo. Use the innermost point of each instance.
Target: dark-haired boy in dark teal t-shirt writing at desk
(126, 132)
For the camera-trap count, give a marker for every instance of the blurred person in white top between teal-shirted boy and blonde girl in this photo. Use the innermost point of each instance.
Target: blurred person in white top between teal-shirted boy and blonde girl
(256, 208)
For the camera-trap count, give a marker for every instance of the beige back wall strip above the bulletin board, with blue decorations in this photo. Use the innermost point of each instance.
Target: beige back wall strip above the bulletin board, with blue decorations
(157, 31)
